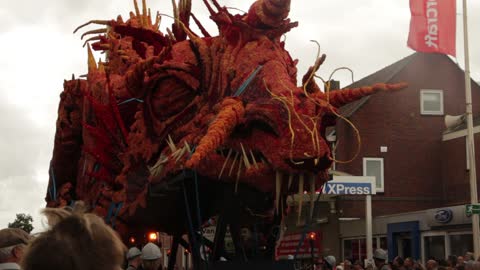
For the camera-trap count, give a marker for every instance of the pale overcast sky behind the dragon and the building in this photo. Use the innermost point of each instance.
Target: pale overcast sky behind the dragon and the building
(38, 51)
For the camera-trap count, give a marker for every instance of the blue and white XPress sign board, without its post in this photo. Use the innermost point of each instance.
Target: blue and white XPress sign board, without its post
(350, 185)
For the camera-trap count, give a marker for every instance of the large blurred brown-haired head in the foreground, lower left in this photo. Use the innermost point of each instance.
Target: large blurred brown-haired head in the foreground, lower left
(75, 241)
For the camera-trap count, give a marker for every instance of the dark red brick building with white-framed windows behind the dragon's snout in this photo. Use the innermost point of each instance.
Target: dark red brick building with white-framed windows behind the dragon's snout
(420, 167)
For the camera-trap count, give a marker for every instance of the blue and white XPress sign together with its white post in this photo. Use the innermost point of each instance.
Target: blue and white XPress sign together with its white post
(356, 185)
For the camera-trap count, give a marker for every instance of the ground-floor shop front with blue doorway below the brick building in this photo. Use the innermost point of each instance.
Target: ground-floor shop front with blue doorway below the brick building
(433, 233)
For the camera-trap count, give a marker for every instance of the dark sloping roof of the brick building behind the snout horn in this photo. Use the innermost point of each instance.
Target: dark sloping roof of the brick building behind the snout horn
(382, 76)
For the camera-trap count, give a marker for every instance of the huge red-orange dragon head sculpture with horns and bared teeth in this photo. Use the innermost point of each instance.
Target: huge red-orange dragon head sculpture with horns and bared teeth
(169, 115)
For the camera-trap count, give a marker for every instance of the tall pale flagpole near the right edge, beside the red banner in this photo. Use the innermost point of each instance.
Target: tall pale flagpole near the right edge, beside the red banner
(470, 138)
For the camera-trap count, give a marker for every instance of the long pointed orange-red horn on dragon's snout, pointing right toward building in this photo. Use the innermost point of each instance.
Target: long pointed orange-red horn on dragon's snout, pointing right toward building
(342, 97)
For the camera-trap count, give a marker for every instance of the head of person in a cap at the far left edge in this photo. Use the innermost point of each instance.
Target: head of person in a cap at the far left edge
(12, 243)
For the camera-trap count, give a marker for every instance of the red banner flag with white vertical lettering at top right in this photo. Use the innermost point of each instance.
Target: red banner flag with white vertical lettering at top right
(433, 25)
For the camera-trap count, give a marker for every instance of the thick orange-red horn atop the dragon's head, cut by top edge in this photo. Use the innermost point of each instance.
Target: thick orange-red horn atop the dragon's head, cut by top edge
(268, 12)
